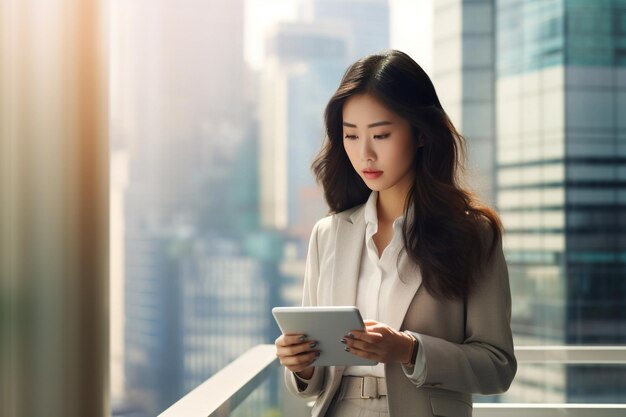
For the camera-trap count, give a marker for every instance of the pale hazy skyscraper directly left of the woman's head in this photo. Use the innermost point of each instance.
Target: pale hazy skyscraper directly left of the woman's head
(303, 65)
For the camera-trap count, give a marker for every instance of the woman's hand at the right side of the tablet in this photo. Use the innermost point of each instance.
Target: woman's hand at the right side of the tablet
(380, 342)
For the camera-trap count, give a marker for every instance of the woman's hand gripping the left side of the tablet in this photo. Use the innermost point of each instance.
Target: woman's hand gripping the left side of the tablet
(297, 354)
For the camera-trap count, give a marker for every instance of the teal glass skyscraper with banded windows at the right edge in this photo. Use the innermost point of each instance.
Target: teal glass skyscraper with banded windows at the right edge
(559, 160)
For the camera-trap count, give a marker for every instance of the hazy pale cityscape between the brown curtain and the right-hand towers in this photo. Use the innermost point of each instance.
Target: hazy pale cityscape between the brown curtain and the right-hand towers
(215, 116)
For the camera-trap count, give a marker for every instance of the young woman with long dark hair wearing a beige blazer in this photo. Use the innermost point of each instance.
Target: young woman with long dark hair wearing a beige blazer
(415, 252)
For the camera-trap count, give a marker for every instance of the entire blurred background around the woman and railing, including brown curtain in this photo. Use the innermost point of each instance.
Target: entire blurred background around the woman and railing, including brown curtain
(155, 181)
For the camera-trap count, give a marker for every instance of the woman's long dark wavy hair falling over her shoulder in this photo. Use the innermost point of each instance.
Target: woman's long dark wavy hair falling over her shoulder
(446, 234)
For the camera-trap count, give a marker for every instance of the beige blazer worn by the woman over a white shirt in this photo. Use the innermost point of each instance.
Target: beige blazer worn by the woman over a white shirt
(468, 345)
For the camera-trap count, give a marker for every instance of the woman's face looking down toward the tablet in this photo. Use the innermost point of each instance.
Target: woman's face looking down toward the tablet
(379, 144)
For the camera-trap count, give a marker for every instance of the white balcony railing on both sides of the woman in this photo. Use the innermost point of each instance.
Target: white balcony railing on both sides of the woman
(221, 394)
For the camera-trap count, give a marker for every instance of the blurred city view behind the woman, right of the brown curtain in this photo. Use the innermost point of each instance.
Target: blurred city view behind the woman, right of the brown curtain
(216, 114)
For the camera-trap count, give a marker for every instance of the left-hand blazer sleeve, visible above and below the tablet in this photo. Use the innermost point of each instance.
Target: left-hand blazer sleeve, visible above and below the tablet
(295, 385)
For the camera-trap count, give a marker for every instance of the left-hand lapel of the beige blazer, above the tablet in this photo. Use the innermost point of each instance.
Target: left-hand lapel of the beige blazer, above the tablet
(349, 241)
